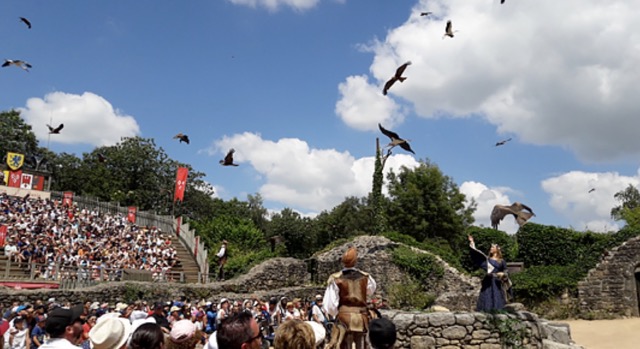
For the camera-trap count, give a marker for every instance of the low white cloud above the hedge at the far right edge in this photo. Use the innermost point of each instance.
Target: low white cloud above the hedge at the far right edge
(570, 197)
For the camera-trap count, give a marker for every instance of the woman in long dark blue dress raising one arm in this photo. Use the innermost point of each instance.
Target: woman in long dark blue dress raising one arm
(495, 284)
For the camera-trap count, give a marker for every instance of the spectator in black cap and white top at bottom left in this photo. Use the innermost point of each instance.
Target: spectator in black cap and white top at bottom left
(64, 327)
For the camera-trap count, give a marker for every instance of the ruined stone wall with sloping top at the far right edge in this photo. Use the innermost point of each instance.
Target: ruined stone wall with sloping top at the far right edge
(610, 288)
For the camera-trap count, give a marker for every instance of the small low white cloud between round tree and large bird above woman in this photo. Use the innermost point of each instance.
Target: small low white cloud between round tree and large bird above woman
(486, 198)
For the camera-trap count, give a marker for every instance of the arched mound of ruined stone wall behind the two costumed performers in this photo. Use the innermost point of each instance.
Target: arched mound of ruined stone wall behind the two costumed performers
(454, 290)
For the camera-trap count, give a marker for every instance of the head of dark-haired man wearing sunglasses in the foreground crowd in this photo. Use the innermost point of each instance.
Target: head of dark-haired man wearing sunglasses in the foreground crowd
(240, 331)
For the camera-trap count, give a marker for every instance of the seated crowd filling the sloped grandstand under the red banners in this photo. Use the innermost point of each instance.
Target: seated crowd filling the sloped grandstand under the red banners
(62, 241)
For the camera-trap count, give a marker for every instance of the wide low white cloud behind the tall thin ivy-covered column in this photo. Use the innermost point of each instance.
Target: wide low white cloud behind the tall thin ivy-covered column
(301, 177)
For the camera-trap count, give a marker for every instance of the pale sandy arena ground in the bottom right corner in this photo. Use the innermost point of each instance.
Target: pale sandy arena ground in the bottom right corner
(606, 334)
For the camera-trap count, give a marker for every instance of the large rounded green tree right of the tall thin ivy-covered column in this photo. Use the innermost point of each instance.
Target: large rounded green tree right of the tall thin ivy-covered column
(426, 204)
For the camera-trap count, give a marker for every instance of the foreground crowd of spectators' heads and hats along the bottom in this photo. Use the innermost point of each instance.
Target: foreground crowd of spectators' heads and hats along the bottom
(177, 324)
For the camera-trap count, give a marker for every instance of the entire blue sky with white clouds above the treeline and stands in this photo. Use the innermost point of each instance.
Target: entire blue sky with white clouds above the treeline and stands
(295, 87)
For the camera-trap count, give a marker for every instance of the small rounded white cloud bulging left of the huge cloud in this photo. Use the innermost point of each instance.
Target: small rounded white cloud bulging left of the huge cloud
(362, 106)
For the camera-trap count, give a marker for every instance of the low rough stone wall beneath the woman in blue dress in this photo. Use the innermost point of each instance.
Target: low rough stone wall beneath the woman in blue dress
(478, 331)
